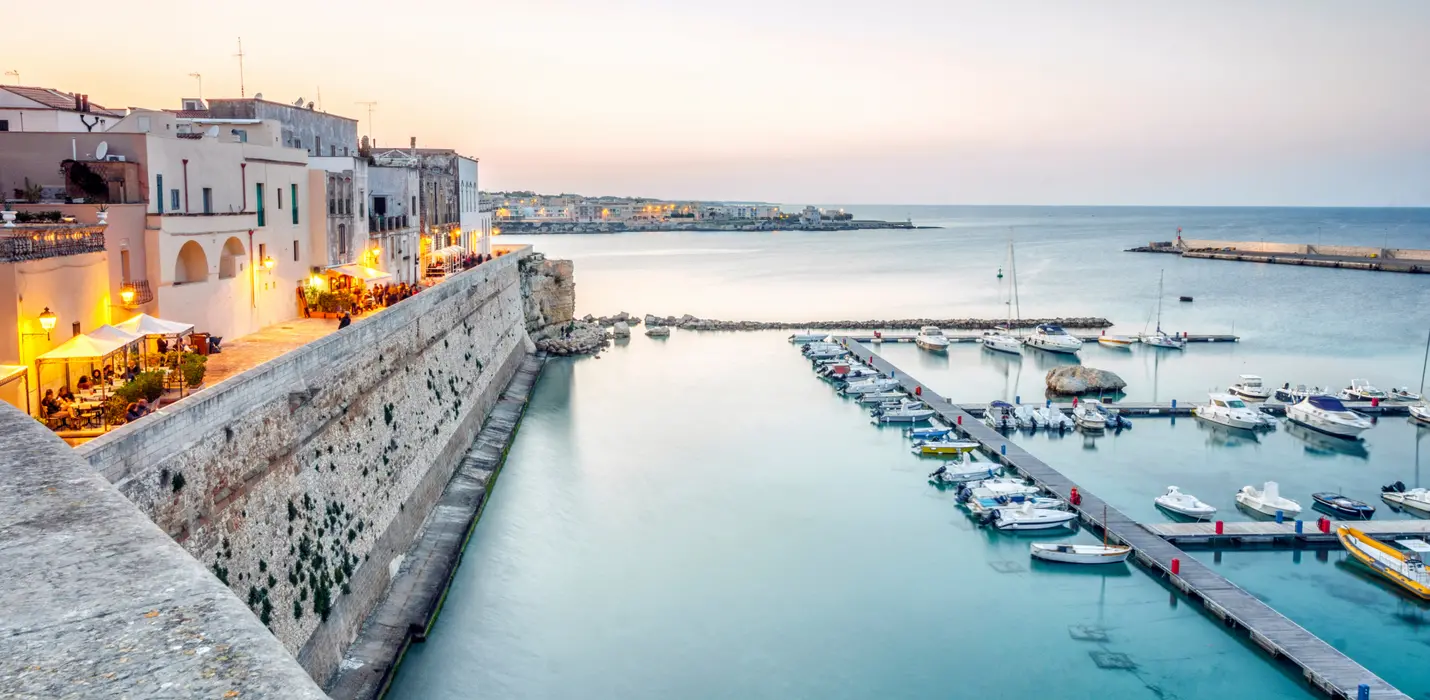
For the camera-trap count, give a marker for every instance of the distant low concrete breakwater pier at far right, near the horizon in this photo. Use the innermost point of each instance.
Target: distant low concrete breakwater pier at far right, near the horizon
(1345, 258)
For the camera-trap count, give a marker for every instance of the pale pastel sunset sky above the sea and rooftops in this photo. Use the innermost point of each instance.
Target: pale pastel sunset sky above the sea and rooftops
(903, 102)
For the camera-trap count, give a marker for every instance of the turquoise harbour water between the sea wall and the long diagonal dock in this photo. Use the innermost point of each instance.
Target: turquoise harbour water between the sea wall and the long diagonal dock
(703, 518)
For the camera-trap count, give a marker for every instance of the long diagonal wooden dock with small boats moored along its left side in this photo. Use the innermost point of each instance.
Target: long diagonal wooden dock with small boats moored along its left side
(1322, 665)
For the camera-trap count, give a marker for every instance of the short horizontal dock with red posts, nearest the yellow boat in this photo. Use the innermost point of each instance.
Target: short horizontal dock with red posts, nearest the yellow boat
(1283, 535)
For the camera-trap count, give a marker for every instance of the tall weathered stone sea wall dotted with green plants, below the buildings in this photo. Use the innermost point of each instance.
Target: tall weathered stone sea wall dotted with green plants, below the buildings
(302, 482)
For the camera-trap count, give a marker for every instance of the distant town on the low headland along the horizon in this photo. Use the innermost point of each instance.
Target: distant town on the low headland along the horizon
(528, 212)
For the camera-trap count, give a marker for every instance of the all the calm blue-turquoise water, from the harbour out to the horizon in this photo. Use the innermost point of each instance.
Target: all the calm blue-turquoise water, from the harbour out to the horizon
(703, 518)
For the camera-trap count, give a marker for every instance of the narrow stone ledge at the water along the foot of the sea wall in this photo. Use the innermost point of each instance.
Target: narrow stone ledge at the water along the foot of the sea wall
(414, 601)
